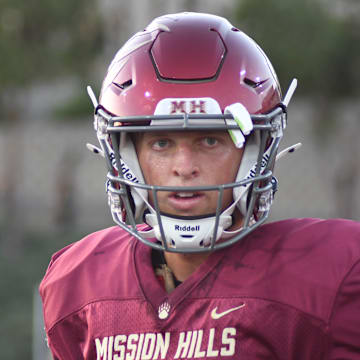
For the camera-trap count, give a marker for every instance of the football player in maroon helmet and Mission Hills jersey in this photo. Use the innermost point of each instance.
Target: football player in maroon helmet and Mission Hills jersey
(189, 121)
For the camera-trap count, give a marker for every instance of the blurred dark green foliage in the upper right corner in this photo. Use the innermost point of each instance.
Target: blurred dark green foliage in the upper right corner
(305, 40)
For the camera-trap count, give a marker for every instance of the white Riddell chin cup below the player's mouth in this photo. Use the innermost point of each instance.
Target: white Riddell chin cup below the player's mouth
(188, 234)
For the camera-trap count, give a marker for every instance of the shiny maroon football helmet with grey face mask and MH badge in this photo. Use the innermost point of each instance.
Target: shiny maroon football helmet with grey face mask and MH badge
(187, 72)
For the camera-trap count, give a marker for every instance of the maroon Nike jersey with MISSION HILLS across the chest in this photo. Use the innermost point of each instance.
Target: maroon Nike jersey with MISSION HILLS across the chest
(290, 290)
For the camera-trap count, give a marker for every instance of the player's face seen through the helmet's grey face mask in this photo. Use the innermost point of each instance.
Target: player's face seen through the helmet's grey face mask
(188, 159)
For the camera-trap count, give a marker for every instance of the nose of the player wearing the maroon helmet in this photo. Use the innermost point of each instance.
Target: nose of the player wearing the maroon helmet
(185, 163)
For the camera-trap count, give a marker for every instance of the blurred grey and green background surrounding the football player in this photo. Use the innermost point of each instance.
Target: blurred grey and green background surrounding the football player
(52, 188)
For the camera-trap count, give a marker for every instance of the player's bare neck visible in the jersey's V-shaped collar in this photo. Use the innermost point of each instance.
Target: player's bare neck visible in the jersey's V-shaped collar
(183, 265)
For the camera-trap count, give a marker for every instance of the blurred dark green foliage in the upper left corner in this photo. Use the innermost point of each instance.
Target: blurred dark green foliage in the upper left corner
(45, 39)
